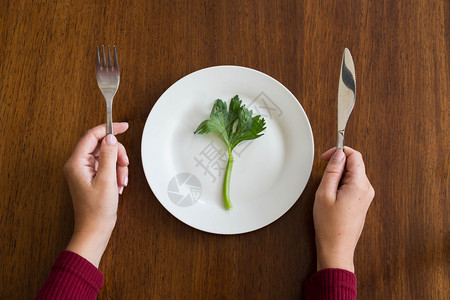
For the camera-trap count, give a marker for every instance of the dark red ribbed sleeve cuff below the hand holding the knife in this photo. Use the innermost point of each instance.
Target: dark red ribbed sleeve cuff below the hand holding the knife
(331, 284)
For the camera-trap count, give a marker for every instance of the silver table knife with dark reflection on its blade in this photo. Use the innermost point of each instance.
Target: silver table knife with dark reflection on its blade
(346, 95)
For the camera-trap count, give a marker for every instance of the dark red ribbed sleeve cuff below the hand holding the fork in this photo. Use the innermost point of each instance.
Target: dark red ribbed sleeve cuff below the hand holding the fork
(71, 277)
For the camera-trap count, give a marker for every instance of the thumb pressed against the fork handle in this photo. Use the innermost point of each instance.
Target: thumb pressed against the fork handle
(107, 160)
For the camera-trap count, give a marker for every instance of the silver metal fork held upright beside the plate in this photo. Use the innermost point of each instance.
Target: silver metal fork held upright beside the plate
(108, 78)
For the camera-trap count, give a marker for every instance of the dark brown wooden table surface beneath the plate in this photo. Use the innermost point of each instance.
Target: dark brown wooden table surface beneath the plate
(49, 98)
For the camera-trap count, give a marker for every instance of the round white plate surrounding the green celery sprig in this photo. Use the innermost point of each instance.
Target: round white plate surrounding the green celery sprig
(186, 171)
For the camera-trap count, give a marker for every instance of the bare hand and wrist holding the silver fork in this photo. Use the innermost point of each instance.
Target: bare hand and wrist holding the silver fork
(96, 172)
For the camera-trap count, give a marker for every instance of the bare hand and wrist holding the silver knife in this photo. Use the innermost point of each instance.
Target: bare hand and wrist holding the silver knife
(340, 211)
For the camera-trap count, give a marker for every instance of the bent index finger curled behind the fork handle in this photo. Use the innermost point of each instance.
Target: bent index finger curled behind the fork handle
(93, 136)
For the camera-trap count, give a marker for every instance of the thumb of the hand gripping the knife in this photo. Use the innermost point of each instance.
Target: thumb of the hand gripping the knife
(332, 175)
